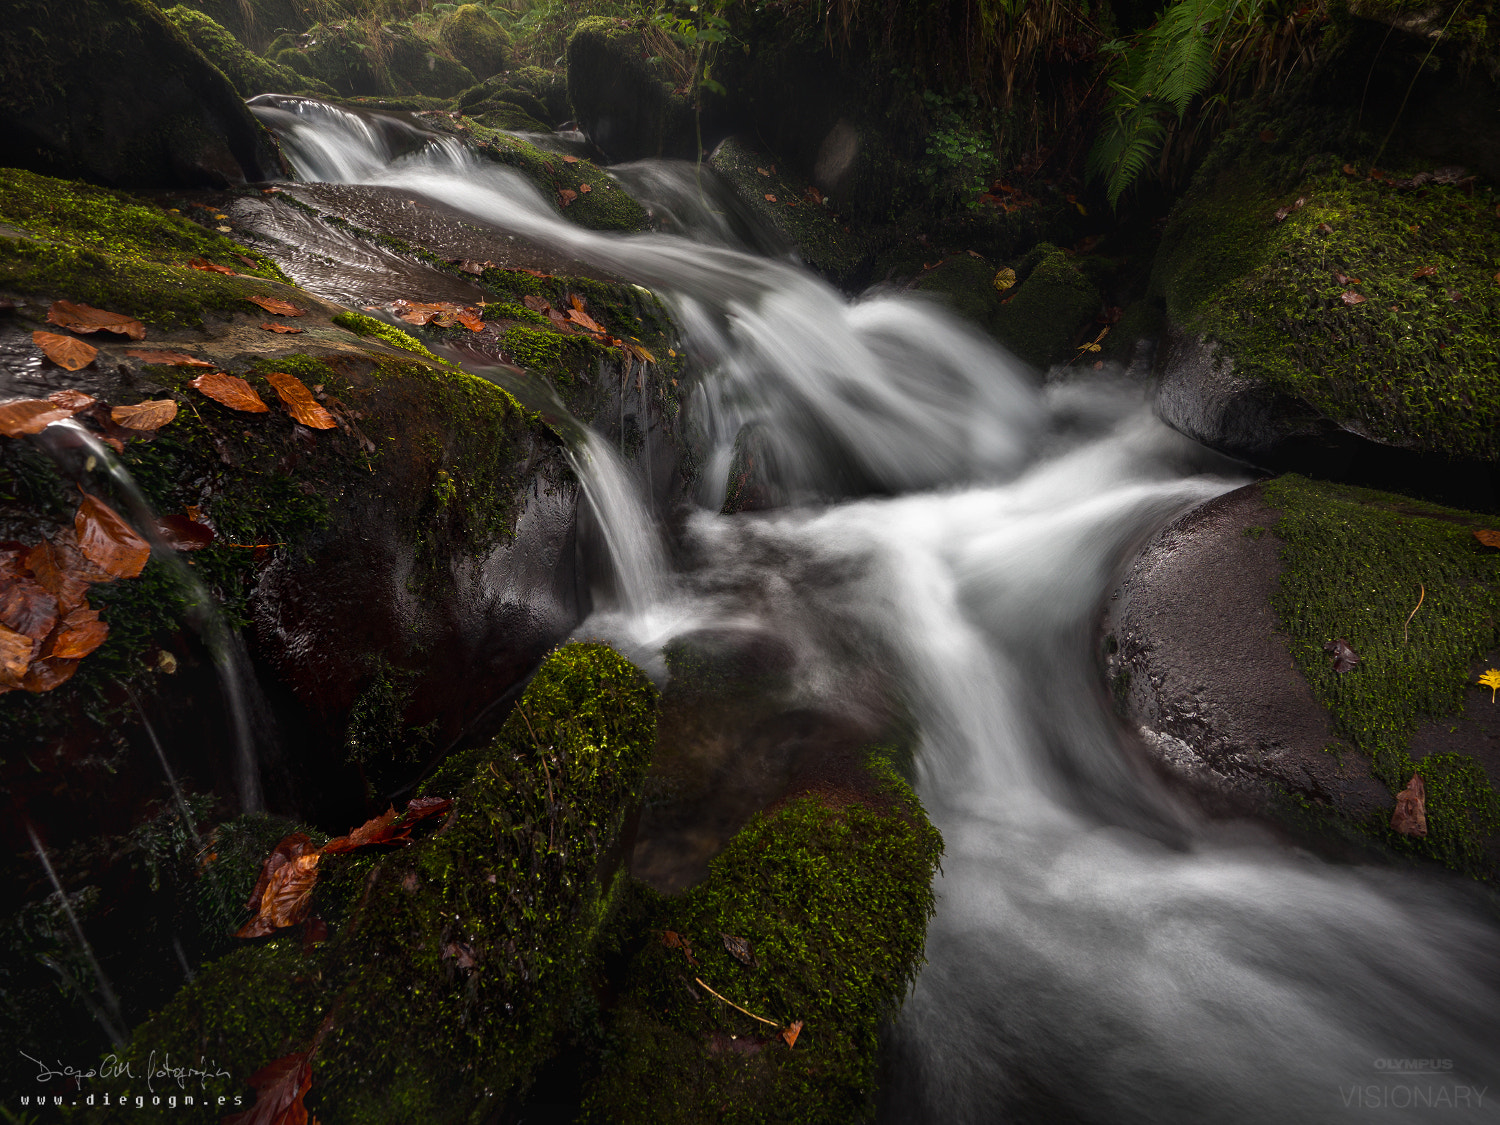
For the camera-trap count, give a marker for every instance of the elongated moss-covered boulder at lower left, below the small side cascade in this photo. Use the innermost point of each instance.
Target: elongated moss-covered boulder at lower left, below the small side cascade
(449, 965)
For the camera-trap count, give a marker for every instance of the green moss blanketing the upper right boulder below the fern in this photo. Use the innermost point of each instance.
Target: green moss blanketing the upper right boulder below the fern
(1414, 364)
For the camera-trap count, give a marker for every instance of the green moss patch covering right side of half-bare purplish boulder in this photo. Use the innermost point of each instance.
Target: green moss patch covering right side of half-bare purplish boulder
(1355, 566)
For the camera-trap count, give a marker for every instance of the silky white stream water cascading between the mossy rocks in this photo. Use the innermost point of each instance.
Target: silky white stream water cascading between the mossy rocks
(1100, 952)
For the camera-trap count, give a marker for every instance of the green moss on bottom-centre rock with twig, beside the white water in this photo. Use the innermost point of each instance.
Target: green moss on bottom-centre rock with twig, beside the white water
(833, 898)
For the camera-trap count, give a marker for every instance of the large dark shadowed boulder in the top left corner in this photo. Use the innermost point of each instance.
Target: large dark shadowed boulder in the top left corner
(110, 91)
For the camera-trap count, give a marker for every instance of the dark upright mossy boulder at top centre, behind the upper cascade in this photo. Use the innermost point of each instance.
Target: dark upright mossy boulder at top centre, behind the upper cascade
(625, 103)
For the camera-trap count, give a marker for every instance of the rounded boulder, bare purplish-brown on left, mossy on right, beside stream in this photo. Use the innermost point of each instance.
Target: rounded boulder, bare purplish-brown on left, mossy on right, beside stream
(1222, 650)
